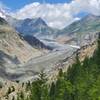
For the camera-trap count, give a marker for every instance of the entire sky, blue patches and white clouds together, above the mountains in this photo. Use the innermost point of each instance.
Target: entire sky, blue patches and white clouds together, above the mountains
(56, 13)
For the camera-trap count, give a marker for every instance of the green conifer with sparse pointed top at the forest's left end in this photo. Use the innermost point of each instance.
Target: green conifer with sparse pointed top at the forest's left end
(39, 89)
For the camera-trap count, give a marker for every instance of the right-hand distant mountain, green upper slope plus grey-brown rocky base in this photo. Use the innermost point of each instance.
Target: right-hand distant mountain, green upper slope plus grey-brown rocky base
(82, 31)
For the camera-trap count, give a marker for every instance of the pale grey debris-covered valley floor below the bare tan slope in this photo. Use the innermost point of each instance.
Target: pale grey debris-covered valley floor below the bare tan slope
(46, 62)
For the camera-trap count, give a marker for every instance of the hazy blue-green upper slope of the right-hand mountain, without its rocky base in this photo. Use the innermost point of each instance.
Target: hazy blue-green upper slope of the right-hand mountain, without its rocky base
(88, 24)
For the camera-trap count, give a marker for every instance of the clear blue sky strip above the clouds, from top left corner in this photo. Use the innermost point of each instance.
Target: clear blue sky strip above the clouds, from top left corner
(16, 4)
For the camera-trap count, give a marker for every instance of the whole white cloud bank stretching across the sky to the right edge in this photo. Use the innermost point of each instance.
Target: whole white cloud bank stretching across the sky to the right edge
(58, 15)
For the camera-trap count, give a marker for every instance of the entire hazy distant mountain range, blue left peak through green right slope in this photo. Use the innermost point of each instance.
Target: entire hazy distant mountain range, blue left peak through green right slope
(79, 30)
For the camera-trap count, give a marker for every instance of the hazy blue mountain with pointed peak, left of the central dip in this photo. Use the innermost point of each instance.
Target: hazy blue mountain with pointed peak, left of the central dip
(35, 27)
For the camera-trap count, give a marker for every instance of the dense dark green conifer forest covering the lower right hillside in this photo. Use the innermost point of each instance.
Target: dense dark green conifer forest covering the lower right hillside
(80, 82)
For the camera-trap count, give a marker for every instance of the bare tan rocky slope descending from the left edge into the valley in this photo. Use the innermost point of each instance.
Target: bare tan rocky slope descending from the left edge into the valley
(12, 44)
